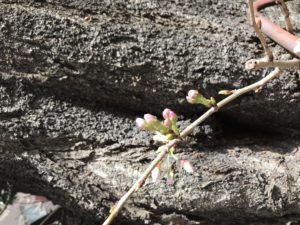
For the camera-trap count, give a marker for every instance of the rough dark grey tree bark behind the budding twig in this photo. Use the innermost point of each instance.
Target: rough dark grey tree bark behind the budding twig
(75, 74)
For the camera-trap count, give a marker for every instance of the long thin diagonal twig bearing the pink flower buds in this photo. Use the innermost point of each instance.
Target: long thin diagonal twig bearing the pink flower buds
(116, 209)
